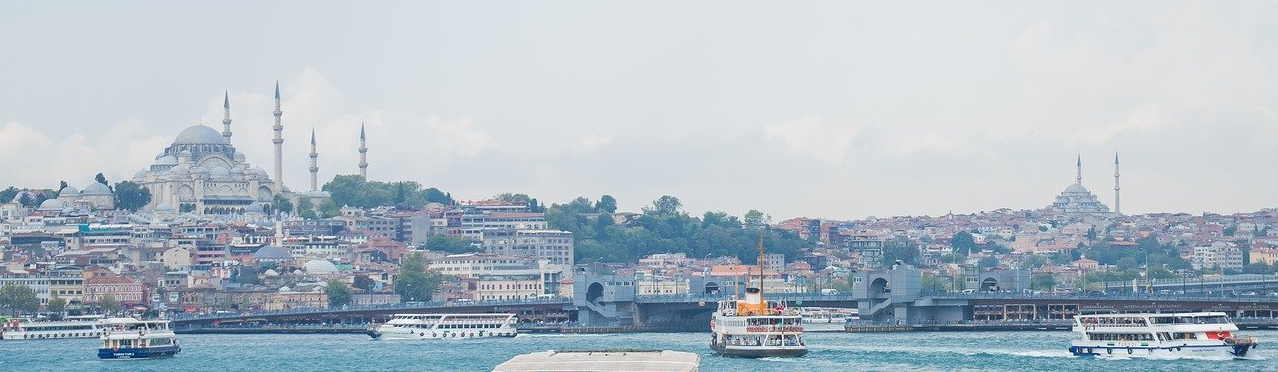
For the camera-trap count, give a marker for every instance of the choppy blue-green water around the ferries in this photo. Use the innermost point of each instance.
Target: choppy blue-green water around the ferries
(830, 352)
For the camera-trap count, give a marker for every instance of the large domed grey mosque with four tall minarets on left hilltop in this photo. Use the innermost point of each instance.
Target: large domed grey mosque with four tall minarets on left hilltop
(203, 173)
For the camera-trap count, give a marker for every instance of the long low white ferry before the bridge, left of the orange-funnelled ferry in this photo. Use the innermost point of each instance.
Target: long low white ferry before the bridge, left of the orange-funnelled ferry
(445, 327)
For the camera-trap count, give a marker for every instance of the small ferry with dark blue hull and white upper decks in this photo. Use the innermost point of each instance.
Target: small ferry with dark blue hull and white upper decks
(137, 339)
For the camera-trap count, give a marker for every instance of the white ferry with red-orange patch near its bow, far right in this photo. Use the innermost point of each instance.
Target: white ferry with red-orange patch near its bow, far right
(1160, 336)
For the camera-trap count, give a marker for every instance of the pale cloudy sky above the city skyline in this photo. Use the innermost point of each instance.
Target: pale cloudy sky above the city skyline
(820, 109)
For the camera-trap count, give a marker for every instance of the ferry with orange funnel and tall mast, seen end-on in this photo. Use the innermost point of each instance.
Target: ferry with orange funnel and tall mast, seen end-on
(755, 328)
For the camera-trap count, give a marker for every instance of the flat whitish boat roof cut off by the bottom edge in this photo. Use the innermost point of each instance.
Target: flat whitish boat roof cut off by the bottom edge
(604, 361)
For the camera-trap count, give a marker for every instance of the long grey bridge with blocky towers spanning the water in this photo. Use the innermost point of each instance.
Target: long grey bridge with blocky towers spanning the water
(889, 296)
